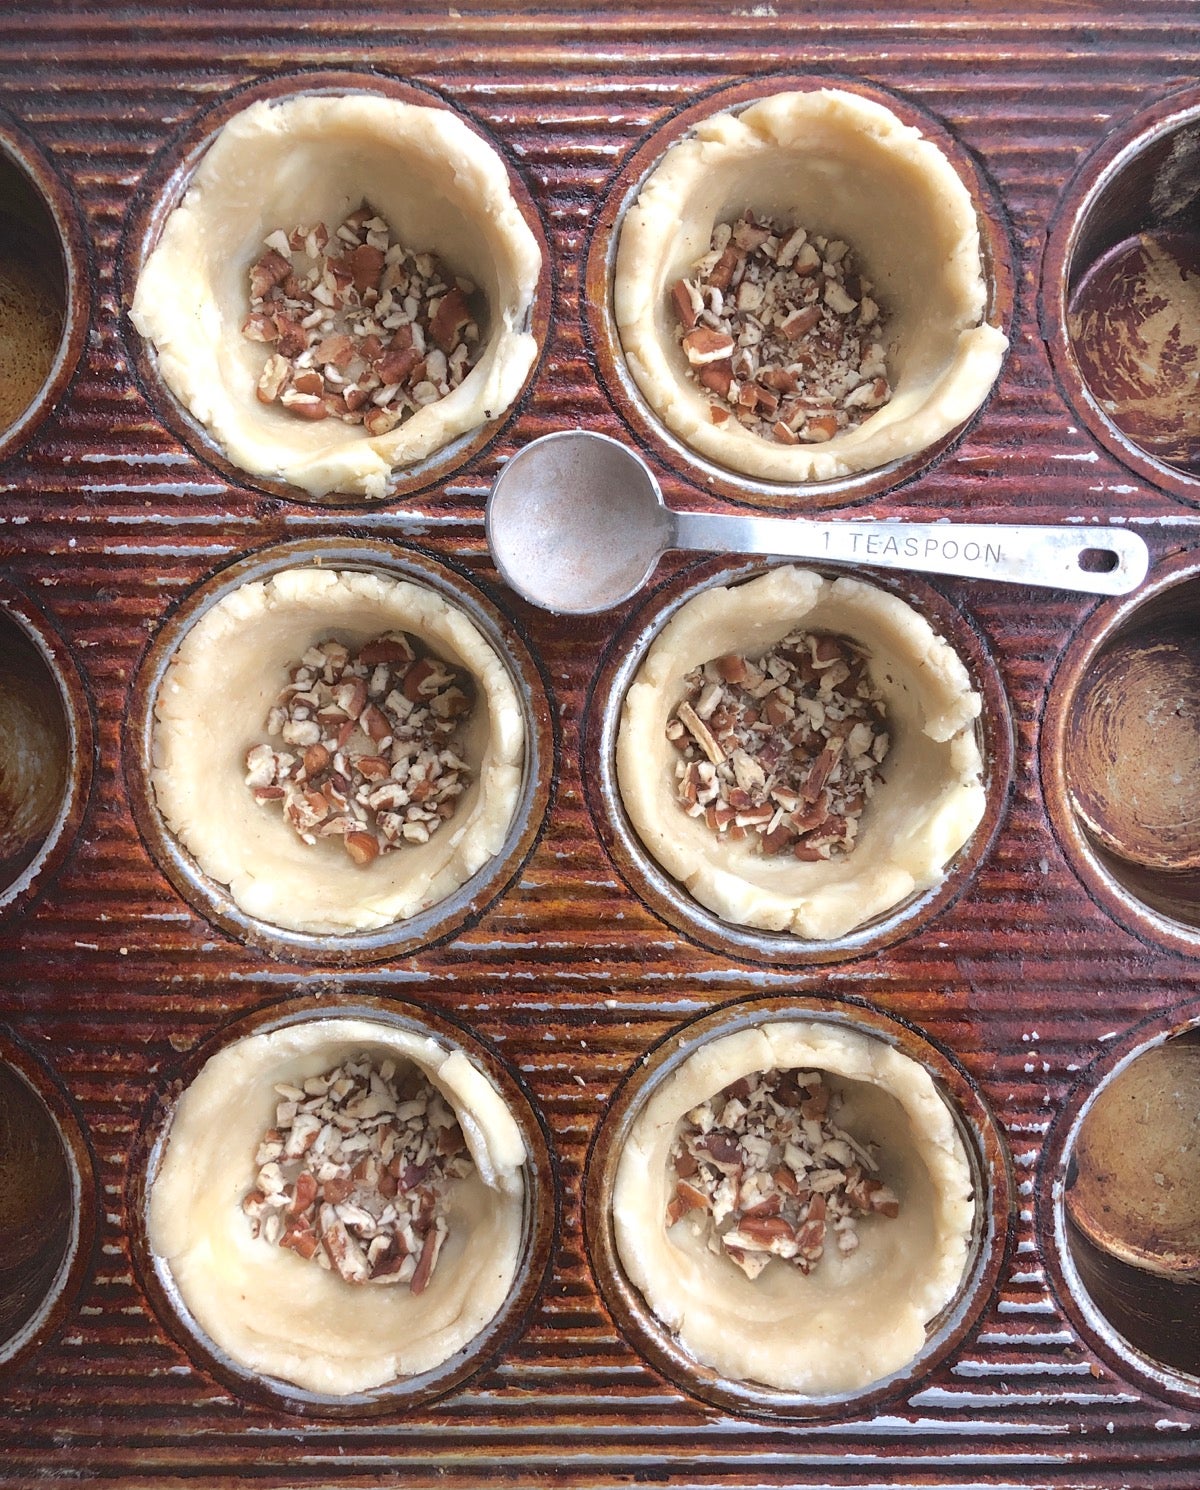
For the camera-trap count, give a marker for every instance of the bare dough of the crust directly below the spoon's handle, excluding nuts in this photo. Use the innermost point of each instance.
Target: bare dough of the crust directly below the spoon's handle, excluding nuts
(926, 808)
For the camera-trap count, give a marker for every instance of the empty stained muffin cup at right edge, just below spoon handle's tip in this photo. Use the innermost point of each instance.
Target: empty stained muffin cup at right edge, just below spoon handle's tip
(1120, 755)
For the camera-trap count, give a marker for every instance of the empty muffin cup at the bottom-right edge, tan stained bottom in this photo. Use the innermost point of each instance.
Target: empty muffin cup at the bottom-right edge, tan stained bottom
(1129, 1209)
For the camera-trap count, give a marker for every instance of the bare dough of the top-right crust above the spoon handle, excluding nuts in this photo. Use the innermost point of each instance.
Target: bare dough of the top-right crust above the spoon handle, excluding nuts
(849, 169)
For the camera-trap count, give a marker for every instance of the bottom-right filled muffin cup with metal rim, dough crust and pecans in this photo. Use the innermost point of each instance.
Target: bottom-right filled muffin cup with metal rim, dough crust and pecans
(786, 1211)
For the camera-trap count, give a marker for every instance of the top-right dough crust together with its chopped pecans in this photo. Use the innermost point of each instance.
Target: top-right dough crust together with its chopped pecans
(800, 288)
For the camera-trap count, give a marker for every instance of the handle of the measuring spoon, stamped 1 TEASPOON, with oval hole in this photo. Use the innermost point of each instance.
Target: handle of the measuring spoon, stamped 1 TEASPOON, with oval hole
(1095, 561)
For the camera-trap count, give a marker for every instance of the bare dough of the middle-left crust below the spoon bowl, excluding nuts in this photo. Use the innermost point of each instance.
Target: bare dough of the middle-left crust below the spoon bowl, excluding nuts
(212, 707)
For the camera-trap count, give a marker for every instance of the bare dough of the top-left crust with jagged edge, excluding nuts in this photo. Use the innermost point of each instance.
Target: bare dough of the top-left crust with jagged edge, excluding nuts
(317, 159)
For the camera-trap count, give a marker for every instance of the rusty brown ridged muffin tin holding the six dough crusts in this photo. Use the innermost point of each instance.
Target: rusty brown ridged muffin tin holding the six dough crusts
(1043, 969)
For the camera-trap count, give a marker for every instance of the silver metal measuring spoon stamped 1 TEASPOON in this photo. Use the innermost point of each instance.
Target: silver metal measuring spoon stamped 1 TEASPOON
(578, 524)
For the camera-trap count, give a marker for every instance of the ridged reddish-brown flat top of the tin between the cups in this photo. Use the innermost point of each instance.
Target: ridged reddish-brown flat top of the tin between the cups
(108, 521)
